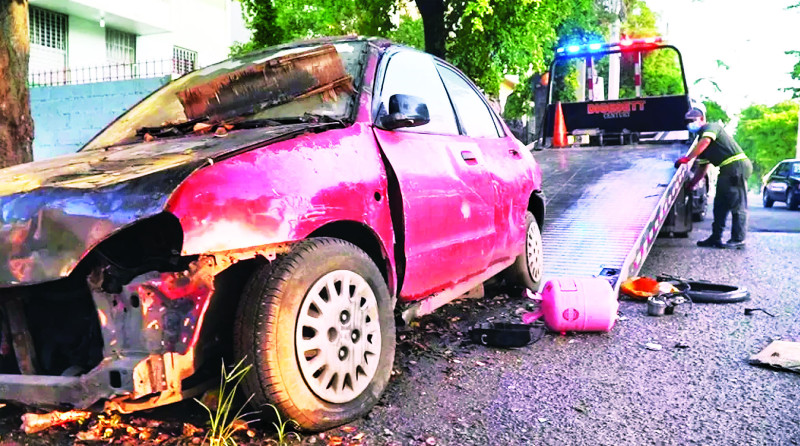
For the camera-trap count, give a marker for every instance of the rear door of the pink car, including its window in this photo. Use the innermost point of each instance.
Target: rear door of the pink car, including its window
(506, 163)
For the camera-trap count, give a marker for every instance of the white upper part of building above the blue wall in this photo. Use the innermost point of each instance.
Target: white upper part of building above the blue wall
(82, 41)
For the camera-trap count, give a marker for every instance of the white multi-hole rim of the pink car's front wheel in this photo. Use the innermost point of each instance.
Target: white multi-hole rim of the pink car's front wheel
(338, 336)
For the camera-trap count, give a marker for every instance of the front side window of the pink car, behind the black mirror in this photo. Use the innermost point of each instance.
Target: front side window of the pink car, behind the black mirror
(413, 73)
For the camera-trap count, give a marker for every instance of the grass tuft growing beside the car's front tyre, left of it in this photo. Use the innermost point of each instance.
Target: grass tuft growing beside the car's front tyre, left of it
(222, 424)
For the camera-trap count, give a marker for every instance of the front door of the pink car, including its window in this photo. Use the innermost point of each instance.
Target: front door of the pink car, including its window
(448, 230)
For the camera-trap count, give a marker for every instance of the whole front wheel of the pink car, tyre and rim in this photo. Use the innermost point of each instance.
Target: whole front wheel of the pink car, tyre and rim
(317, 325)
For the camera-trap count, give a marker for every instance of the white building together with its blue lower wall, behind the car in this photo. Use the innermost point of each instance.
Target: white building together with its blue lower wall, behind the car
(91, 60)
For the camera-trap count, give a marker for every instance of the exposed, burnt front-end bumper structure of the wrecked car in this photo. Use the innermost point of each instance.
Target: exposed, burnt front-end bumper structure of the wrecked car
(152, 340)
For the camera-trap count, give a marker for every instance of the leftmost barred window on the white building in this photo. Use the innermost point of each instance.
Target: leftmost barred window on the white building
(48, 51)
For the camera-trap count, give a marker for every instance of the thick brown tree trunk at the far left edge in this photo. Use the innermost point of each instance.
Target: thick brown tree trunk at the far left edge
(16, 124)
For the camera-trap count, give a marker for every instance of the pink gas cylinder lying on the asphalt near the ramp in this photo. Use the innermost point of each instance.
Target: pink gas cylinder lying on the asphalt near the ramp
(577, 304)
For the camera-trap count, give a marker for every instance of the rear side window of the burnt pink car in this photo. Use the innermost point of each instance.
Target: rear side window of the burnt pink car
(473, 113)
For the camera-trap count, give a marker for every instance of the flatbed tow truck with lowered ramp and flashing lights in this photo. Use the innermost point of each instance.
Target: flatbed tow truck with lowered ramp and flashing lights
(612, 186)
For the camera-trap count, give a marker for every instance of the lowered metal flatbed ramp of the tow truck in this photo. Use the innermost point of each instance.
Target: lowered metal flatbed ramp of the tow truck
(606, 206)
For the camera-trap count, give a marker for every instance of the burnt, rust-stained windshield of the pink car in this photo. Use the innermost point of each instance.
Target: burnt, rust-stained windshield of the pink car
(273, 86)
